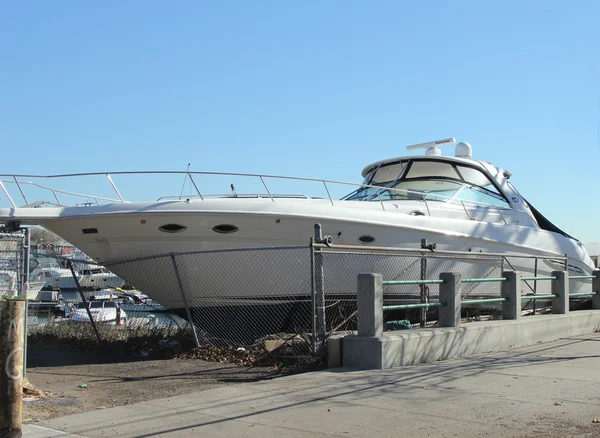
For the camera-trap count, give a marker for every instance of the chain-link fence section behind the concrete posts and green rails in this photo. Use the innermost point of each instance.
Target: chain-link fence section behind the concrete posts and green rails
(342, 266)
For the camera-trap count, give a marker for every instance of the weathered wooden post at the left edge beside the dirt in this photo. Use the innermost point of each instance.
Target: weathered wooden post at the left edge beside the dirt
(12, 329)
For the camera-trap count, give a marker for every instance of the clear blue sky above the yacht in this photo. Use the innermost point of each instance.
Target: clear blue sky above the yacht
(306, 89)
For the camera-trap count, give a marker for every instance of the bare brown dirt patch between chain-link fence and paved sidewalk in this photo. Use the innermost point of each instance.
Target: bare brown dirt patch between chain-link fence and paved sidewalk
(117, 380)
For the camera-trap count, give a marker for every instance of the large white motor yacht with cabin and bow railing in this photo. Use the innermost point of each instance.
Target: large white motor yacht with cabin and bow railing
(457, 202)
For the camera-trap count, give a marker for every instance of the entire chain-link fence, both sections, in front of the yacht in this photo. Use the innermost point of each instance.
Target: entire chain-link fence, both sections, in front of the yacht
(282, 301)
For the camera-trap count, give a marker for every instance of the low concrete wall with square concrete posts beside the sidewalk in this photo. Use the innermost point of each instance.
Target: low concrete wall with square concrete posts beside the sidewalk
(372, 348)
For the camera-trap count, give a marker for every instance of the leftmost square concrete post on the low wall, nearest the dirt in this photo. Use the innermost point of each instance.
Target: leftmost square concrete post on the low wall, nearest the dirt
(370, 305)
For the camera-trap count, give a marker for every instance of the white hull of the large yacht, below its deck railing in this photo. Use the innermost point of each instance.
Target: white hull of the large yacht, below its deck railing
(130, 243)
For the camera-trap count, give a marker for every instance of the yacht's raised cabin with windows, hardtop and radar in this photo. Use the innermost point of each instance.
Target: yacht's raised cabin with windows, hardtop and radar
(465, 186)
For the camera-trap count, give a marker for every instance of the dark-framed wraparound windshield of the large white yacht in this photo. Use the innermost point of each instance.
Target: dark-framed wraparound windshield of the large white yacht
(430, 181)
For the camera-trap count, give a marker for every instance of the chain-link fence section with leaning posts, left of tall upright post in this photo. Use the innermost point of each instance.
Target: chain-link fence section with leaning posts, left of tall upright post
(253, 300)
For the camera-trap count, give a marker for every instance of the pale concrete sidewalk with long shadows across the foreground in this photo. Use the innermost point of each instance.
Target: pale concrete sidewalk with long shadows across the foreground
(548, 390)
